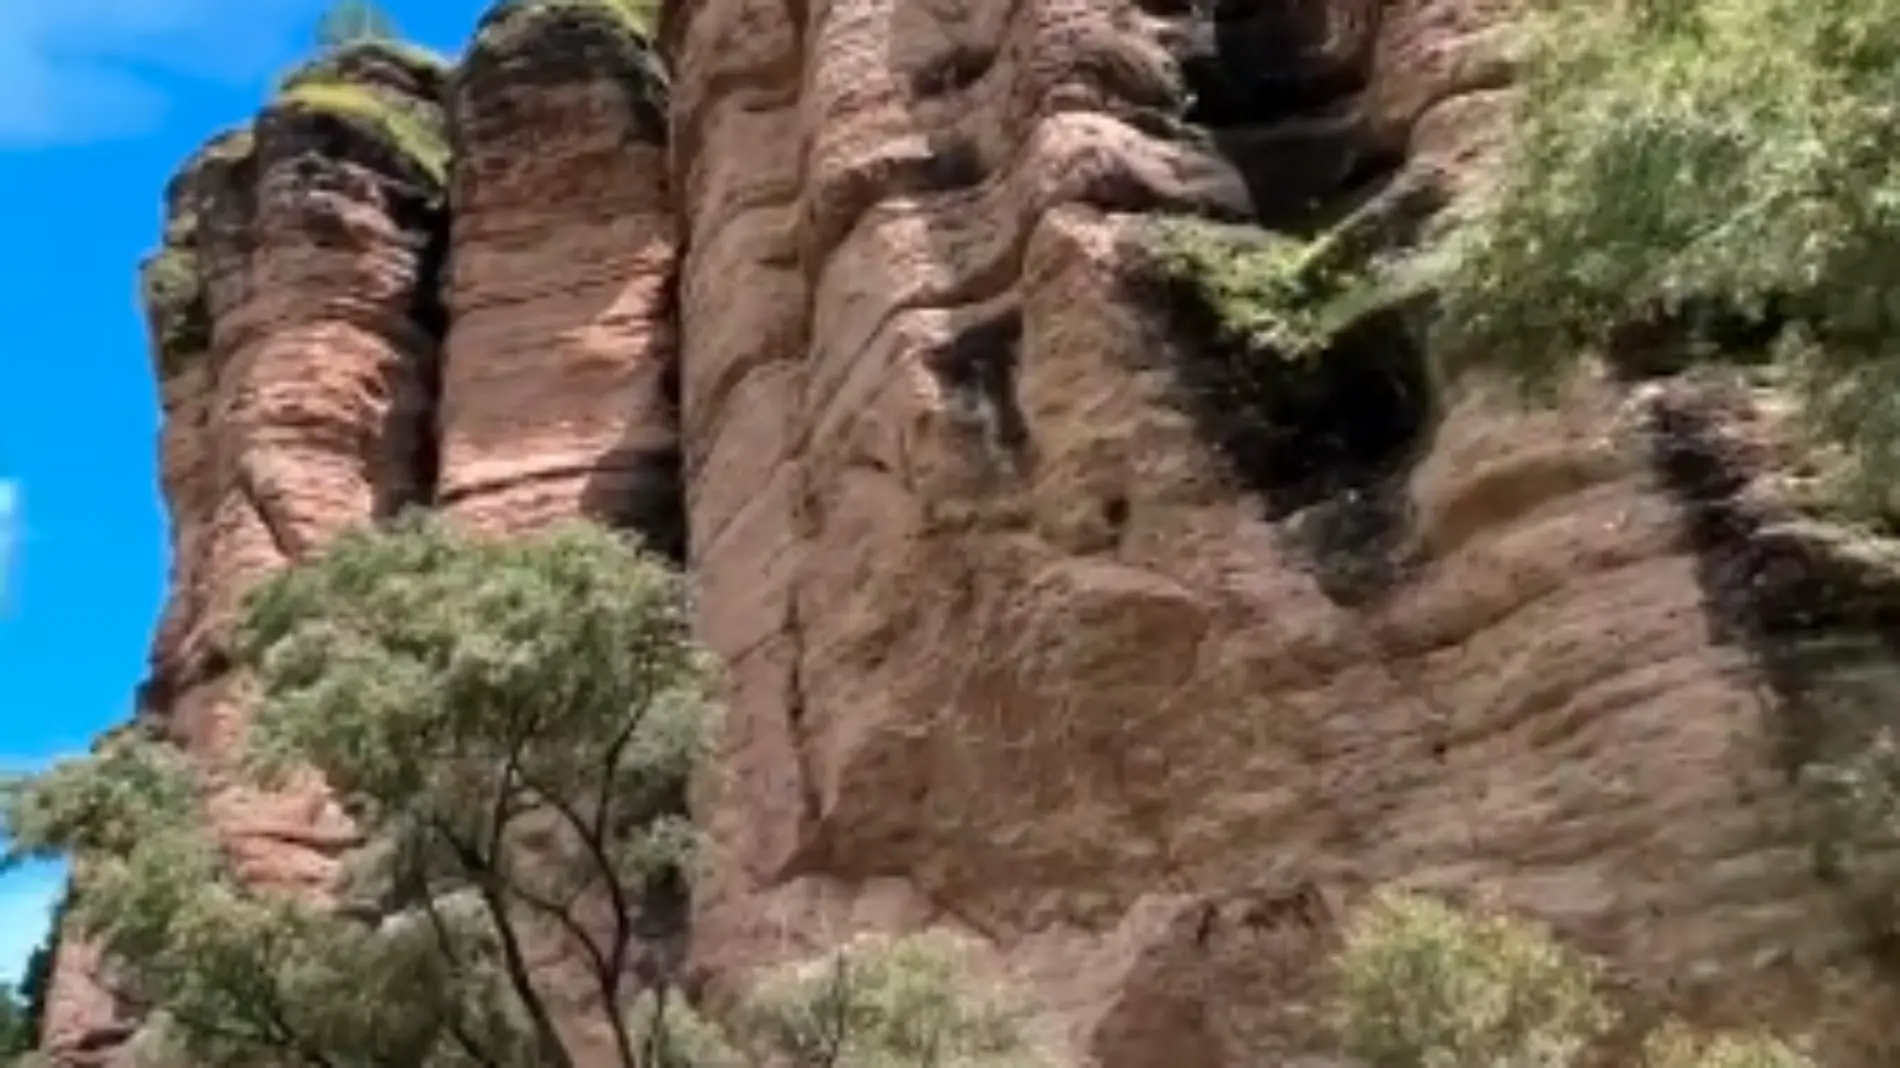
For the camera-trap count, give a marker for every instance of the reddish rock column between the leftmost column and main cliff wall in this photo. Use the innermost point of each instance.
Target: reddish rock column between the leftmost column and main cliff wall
(558, 379)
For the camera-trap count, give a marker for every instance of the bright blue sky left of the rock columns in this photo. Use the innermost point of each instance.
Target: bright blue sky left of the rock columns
(100, 100)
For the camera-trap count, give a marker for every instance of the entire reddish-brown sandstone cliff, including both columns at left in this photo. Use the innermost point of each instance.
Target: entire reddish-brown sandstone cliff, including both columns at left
(1027, 634)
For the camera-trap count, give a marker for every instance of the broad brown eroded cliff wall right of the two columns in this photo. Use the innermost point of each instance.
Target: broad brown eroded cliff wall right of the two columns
(1014, 649)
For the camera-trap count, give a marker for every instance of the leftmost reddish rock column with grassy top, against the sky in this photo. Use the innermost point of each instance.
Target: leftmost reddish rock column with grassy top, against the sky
(294, 324)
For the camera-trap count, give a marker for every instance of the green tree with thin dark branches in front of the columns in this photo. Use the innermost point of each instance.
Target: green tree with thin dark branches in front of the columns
(512, 727)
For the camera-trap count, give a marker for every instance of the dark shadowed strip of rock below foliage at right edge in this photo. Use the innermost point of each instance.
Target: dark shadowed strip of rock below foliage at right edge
(1817, 613)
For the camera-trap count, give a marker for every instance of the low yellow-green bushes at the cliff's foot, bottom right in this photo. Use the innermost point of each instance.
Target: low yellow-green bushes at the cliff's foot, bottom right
(1426, 985)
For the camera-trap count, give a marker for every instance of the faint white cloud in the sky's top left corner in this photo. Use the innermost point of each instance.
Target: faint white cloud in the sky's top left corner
(75, 71)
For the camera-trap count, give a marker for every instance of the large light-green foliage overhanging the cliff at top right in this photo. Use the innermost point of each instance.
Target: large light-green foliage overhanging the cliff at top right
(1722, 166)
